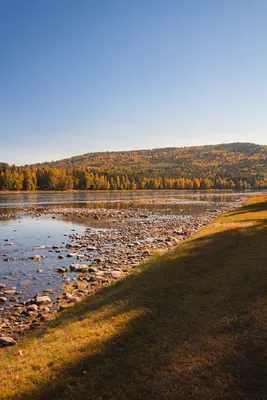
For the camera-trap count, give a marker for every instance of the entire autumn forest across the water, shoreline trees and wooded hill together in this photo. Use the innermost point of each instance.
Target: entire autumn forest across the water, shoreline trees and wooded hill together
(225, 166)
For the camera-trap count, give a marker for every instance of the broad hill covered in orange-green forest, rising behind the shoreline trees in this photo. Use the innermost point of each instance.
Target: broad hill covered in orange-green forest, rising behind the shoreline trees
(173, 161)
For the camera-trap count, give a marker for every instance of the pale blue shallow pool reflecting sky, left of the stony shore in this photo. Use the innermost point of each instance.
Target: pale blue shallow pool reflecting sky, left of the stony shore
(20, 237)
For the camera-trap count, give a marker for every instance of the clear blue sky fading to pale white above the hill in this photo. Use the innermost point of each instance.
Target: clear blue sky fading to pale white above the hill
(92, 75)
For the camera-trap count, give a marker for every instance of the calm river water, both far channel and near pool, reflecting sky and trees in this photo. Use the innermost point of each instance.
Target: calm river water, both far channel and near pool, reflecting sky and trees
(21, 237)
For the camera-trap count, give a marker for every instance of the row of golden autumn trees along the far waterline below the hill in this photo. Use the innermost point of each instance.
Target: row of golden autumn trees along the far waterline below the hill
(15, 178)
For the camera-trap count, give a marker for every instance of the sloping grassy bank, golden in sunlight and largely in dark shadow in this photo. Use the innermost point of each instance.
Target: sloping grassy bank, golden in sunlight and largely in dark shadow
(190, 324)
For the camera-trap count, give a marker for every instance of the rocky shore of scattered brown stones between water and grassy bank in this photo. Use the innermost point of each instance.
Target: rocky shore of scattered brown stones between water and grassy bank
(98, 258)
